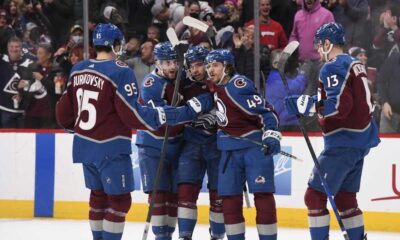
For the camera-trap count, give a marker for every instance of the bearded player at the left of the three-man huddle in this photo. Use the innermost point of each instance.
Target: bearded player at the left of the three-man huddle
(157, 90)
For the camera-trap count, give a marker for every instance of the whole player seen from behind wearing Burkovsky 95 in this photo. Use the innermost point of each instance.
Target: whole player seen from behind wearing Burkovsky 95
(100, 106)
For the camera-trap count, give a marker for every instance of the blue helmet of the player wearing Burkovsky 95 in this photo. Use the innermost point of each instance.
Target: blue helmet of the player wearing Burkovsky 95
(106, 34)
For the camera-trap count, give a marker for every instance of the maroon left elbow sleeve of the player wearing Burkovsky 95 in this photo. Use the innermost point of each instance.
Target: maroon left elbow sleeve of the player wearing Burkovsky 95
(64, 109)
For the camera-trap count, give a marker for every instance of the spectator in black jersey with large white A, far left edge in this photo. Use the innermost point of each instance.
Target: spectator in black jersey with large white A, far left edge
(14, 70)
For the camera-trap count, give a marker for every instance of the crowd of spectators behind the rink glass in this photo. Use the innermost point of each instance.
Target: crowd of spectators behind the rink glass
(40, 40)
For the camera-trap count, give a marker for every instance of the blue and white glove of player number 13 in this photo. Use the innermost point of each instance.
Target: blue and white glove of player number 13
(301, 105)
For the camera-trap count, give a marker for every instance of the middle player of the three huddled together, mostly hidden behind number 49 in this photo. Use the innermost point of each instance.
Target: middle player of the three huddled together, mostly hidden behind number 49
(199, 154)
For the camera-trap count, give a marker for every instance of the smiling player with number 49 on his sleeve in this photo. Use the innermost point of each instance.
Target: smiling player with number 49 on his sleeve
(241, 112)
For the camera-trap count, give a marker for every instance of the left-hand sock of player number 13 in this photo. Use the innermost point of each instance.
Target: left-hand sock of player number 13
(318, 214)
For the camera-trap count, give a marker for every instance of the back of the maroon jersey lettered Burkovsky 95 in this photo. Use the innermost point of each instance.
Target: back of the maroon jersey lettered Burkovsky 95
(94, 86)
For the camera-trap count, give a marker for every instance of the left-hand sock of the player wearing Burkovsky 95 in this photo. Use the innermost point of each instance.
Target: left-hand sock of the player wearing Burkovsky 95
(97, 210)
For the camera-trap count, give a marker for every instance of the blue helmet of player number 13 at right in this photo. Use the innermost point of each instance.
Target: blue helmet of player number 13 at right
(332, 31)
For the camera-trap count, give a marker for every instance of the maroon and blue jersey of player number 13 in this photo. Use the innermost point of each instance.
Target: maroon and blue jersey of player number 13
(348, 104)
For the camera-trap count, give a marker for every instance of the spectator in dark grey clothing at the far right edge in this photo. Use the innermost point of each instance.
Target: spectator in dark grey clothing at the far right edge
(388, 92)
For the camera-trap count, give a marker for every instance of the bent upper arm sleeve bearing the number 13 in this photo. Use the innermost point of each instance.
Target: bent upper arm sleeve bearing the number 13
(339, 99)
